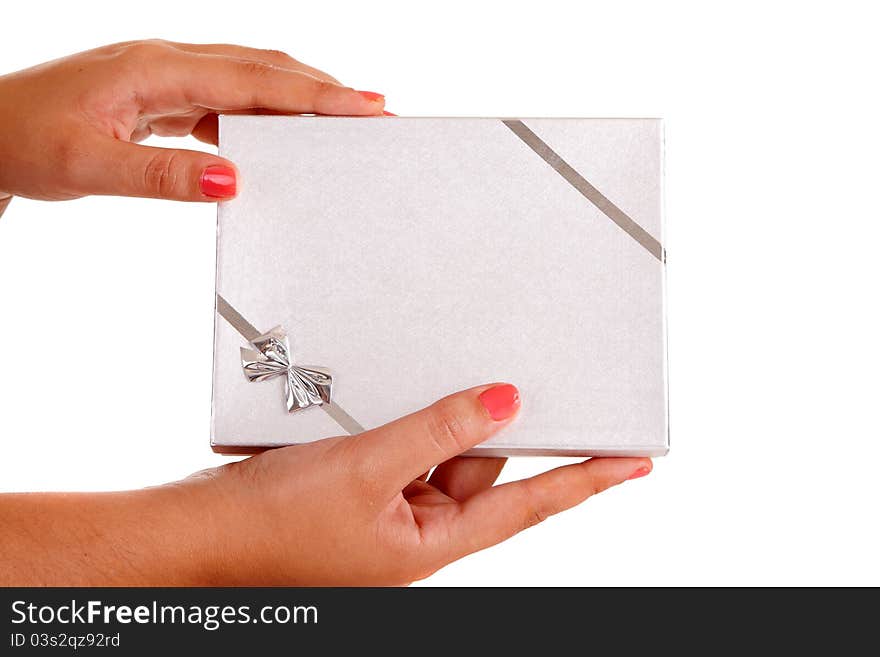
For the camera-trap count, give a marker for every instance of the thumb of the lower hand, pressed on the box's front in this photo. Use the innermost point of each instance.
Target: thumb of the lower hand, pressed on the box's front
(402, 450)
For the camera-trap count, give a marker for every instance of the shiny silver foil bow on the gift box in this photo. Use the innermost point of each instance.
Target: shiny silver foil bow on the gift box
(305, 386)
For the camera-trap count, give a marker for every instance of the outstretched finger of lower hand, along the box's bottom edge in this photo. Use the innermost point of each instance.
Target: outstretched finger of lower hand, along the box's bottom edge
(500, 512)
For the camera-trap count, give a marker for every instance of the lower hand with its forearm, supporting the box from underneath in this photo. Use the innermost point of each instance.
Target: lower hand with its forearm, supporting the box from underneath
(358, 510)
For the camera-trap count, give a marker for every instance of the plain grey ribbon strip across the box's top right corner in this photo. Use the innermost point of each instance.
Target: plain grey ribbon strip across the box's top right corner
(576, 180)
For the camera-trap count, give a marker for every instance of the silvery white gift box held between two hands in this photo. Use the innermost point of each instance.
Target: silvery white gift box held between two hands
(414, 257)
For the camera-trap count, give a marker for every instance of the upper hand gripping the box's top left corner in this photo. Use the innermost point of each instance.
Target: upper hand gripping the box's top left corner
(68, 128)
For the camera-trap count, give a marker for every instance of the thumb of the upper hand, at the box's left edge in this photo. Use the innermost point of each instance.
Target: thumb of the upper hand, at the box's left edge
(122, 168)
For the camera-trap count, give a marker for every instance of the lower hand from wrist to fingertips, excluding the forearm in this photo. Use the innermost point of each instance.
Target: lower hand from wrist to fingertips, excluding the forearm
(362, 510)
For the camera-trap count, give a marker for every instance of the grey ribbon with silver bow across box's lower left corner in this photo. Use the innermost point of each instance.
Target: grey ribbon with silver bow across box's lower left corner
(270, 358)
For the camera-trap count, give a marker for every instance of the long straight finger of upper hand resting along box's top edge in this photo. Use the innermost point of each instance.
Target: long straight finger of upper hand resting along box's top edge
(222, 83)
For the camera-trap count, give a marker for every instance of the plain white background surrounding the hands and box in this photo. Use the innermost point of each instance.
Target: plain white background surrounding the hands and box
(772, 235)
